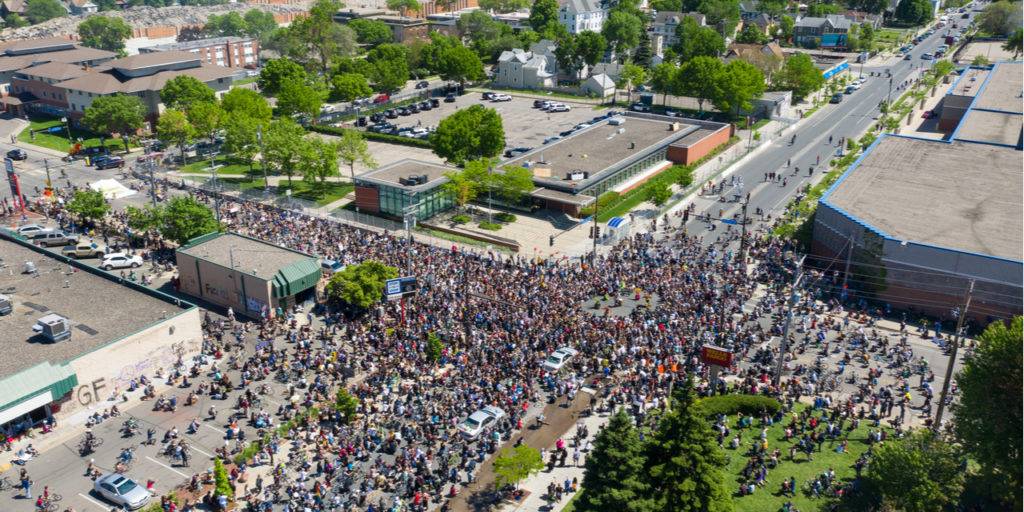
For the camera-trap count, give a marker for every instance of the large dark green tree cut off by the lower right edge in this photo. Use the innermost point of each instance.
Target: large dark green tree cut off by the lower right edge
(989, 417)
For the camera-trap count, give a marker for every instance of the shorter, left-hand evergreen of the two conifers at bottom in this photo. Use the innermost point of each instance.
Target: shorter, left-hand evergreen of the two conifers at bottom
(615, 478)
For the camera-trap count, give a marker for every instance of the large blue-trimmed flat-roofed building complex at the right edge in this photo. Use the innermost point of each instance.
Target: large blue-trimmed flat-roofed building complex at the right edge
(921, 220)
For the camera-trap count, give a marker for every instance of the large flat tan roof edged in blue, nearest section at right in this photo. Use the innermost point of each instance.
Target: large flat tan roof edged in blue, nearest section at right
(960, 196)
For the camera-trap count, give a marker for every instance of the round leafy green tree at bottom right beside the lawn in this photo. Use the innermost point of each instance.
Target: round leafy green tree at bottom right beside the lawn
(918, 474)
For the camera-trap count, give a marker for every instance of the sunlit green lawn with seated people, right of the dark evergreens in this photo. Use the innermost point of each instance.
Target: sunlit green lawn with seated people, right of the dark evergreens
(767, 499)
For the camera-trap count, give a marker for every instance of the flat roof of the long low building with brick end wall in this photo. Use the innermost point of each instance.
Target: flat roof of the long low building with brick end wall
(601, 150)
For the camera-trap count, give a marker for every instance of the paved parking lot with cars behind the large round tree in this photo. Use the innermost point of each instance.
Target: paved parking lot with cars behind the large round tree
(525, 126)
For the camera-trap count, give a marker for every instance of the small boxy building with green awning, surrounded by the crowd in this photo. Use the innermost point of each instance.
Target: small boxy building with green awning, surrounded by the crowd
(251, 277)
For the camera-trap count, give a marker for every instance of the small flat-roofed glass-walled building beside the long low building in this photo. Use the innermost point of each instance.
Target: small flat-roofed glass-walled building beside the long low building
(405, 185)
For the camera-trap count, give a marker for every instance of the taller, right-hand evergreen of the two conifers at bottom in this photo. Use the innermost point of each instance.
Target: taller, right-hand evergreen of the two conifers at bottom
(684, 461)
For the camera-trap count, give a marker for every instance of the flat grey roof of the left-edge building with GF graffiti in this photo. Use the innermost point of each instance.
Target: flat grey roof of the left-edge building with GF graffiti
(101, 310)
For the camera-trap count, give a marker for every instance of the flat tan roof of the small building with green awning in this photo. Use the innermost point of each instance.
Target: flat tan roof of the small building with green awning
(252, 257)
